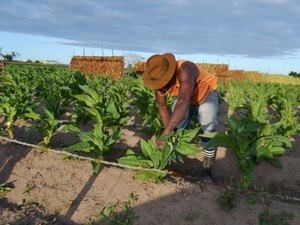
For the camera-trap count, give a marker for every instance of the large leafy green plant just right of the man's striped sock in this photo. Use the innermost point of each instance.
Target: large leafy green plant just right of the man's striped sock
(251, 136)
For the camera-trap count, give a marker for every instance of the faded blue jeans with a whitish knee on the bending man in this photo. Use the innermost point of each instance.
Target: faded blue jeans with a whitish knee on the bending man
(207, 115)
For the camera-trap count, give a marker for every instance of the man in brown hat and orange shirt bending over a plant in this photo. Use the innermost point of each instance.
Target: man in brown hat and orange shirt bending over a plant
(195, 92)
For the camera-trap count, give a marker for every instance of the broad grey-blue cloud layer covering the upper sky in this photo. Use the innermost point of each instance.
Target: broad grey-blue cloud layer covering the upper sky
(257, 28)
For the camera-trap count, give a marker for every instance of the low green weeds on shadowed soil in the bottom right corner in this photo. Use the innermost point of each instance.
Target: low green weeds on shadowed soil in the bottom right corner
(266, 218)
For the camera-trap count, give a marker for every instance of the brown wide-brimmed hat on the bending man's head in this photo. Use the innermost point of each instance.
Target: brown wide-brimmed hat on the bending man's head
(159, 70)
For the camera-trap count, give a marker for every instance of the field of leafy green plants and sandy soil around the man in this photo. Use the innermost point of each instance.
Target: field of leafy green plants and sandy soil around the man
(77, 149)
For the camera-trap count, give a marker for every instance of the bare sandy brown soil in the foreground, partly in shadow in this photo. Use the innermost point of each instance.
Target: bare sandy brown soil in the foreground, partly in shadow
(47, 189)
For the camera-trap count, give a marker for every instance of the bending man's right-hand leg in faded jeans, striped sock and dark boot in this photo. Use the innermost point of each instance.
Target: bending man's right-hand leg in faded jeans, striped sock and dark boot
(207, 117)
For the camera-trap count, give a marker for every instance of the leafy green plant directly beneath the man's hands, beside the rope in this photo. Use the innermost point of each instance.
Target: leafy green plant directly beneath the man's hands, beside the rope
(175, 144)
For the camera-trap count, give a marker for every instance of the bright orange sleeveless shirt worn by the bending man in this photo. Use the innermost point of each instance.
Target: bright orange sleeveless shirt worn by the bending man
(205, 83)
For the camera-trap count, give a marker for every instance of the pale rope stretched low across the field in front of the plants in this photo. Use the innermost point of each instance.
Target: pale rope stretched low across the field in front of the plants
(83, 157)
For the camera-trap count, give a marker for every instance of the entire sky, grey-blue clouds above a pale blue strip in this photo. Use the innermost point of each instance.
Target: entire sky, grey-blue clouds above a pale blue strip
(261, 35)
